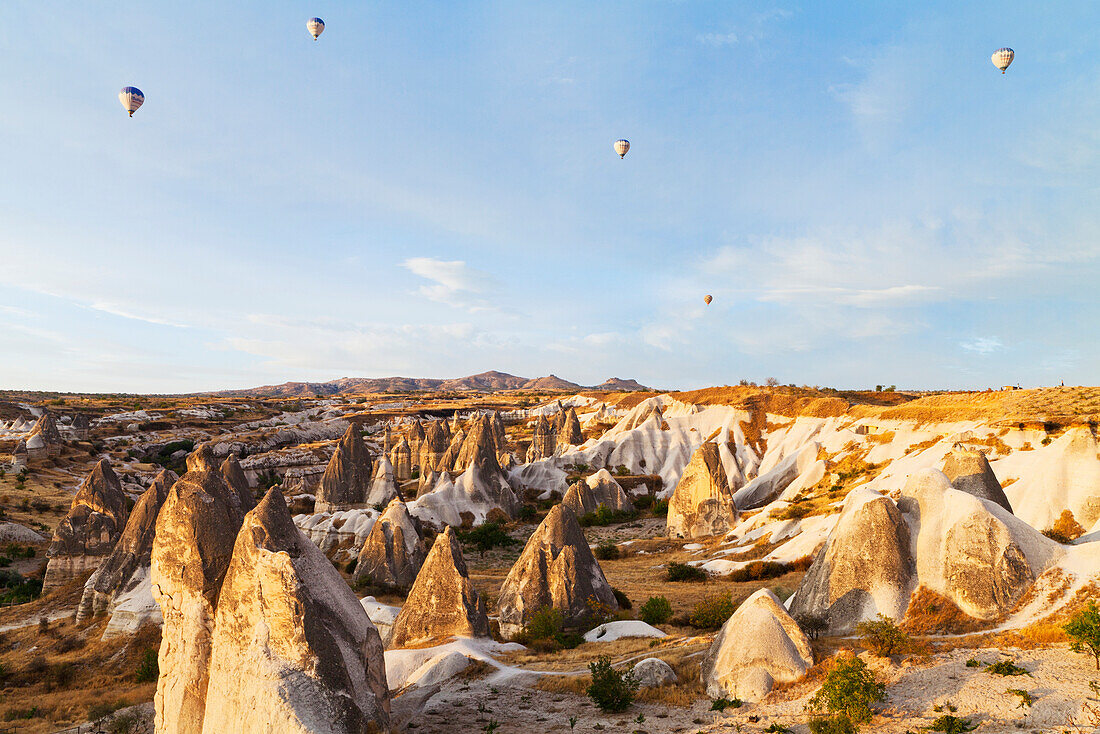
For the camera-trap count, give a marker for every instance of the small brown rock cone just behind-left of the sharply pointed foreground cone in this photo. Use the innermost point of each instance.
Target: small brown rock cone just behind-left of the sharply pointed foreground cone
(394, 552)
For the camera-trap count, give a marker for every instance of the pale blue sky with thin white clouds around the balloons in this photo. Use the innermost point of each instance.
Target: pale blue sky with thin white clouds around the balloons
(431, 190)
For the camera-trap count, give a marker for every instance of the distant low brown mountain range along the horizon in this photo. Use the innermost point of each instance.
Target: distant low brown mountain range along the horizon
(486, 382)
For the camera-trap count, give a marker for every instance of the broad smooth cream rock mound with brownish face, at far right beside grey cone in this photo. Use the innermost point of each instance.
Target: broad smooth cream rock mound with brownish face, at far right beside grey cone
(970, 550)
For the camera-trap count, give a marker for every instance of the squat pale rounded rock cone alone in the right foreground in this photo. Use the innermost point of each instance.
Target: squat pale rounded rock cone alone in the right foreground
(758, 647)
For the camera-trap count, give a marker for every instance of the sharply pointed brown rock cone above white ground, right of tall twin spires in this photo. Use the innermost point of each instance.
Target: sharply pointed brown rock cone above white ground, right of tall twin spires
(443, 602)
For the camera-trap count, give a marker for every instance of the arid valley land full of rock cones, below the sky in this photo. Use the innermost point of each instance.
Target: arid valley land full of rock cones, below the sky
(453, 556)
